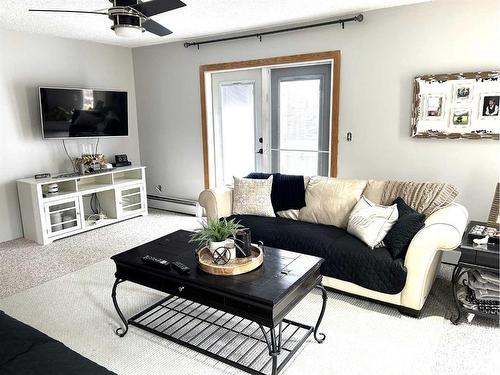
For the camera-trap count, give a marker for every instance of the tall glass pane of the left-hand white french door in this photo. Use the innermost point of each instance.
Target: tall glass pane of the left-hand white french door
(238, 130)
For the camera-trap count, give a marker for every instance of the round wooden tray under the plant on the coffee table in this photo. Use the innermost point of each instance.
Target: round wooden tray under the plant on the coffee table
(234, 266)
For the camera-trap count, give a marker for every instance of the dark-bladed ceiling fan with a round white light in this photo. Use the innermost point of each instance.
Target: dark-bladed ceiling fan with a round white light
(131, 17)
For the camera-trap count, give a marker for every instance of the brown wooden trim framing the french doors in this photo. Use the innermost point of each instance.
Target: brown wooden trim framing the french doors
(281, 60)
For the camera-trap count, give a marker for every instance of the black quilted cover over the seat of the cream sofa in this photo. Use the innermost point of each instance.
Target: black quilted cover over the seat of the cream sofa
(346, 257)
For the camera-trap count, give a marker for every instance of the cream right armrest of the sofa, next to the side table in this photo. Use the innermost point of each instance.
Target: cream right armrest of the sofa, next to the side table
(442, 232)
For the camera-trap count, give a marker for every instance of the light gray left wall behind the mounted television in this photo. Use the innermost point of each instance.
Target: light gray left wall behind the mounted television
(27, 61)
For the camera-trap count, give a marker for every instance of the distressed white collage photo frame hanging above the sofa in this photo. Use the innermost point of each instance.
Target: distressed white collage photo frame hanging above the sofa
(457, 105)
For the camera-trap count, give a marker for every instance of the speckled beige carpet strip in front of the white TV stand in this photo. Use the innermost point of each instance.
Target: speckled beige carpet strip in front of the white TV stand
(24, 263)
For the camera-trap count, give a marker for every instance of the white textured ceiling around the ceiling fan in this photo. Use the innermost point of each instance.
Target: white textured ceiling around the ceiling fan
(200, 18)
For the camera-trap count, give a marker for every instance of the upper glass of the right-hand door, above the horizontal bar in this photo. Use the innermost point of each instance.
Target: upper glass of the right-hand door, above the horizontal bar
(299, 114)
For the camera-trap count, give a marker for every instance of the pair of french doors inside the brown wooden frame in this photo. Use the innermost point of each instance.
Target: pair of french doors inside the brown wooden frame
(271, 120)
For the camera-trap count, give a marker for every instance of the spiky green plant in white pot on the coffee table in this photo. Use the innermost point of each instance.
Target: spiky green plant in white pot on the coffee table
(217, 233)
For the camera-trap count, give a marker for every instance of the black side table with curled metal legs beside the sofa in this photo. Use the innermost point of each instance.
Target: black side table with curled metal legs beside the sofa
(480, 258)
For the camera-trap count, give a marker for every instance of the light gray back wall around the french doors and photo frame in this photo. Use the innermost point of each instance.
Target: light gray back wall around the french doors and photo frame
(380, 57)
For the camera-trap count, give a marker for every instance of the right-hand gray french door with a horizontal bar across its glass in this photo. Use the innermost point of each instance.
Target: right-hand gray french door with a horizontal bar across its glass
(300, 120)
